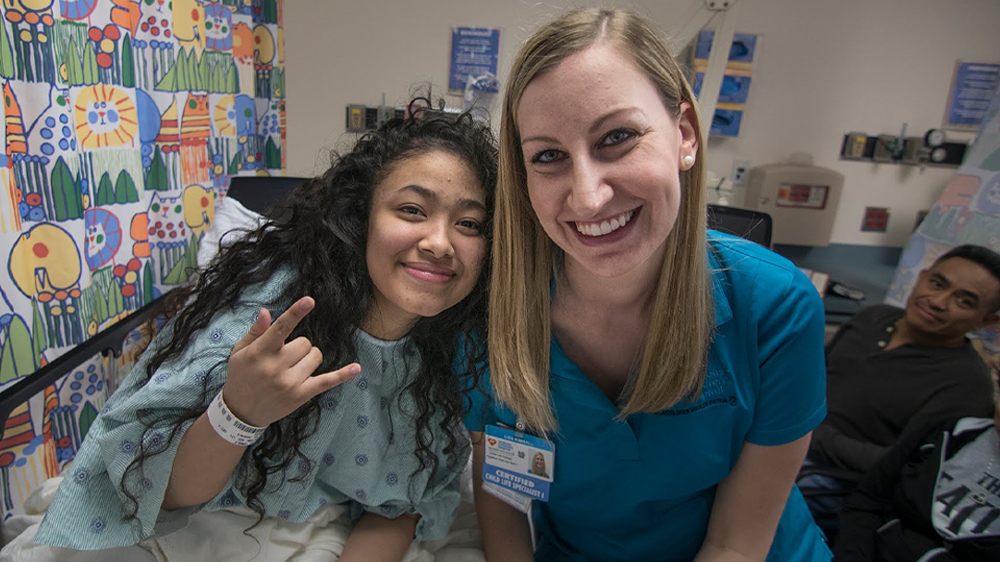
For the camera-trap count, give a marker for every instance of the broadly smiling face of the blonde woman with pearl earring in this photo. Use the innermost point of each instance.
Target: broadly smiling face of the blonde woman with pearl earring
(603, 156)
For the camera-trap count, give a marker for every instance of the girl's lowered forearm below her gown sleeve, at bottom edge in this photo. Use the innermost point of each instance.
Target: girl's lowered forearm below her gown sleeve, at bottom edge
(377, 539)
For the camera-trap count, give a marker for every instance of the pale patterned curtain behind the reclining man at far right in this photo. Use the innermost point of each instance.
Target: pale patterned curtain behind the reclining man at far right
(968, 212)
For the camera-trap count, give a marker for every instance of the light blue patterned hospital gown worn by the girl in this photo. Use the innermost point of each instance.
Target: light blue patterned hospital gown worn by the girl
(362, 452)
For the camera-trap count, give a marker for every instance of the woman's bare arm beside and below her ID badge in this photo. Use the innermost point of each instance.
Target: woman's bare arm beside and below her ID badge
(506, 536)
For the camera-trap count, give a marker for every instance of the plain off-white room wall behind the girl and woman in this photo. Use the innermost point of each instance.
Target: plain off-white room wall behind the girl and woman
(824, 68)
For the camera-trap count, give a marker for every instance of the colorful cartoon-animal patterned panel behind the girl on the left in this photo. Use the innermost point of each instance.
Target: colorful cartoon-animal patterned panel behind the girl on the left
(123, 122)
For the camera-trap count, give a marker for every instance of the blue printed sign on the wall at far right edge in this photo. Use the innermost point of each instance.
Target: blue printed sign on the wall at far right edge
(971, 91)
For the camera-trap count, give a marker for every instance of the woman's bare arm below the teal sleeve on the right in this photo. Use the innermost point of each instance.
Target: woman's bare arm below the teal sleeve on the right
(749, 502)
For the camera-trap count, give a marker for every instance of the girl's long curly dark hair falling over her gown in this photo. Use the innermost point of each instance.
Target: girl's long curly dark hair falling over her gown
(323, 238)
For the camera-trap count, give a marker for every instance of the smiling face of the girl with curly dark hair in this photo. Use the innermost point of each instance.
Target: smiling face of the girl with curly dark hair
(425, 242)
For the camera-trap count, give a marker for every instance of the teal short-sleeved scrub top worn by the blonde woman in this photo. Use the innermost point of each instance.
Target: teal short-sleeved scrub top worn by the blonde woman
(642, 489)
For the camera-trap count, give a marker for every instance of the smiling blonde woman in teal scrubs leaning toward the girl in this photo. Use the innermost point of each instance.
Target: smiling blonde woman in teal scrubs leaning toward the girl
(677, 372)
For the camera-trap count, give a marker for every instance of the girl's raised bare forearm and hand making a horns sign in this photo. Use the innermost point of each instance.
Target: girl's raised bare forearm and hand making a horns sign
(267, 379)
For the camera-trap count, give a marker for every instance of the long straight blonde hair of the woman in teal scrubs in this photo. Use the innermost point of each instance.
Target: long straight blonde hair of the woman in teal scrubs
(673, 356)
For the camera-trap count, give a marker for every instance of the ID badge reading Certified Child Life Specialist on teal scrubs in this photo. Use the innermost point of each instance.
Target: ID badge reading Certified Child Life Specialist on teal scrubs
(518, 462)
